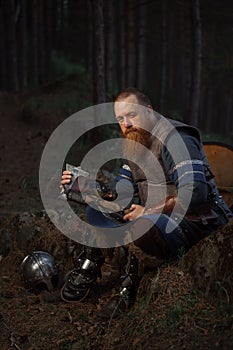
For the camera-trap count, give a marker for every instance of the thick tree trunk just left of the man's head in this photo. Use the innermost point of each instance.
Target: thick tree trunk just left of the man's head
(98, 57)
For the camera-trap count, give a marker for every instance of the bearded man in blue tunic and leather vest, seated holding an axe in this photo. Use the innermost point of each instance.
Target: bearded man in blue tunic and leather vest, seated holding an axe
(177, 202)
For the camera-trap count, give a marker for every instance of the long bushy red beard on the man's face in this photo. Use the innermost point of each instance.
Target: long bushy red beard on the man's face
(141, 137)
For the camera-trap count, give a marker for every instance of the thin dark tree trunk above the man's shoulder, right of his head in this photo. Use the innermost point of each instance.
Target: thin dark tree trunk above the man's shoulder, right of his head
(163, 81)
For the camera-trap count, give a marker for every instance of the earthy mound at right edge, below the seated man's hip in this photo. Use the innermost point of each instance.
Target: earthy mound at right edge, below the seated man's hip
(210, 263)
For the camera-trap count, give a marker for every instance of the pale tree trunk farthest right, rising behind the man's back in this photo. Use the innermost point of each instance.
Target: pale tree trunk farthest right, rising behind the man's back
(196, 87)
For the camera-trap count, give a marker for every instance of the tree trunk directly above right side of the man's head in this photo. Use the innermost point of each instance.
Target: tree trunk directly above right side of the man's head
(142, 56)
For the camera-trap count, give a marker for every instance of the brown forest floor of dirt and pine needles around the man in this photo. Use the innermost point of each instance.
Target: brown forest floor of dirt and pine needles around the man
(170, 312)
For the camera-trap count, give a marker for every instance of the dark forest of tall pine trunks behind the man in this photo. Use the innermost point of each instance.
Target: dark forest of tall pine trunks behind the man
(179, 52)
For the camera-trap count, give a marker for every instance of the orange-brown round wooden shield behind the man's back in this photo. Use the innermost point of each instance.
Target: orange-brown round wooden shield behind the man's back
(220, 157)
